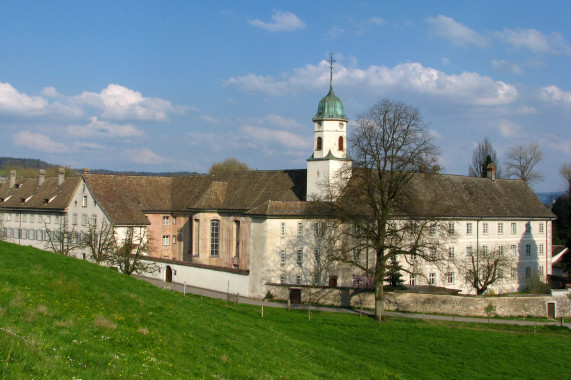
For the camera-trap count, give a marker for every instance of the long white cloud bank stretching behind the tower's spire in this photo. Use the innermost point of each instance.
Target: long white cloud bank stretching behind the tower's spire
(410, 78)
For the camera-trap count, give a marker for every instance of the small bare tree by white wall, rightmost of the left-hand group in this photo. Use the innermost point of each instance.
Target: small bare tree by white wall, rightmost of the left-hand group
(130, 251)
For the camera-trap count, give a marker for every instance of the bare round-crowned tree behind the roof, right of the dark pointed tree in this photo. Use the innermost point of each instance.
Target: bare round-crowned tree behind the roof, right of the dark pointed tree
(521, 161)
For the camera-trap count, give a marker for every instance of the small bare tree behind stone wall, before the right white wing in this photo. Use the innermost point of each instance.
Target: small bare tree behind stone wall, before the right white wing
(485, 267)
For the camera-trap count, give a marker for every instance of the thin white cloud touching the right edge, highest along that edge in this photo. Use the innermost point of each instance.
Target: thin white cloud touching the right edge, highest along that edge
(535, 41)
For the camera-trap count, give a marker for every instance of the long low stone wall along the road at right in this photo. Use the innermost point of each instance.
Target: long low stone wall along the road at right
(506, 306)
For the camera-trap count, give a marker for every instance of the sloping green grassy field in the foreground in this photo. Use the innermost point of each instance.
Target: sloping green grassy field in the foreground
(66, 318)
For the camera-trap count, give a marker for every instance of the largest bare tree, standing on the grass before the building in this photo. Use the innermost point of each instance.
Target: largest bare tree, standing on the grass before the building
(377, 212)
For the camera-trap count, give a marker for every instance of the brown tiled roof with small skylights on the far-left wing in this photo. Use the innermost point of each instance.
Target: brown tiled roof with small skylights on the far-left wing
(26, 194)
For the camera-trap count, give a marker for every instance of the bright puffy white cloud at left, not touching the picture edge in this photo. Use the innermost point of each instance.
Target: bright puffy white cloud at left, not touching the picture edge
(118, 102)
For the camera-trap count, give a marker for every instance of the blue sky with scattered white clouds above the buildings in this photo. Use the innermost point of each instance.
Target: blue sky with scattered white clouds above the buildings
(178, 85)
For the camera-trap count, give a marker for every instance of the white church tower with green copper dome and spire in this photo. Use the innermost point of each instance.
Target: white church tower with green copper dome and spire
(328, 168)
